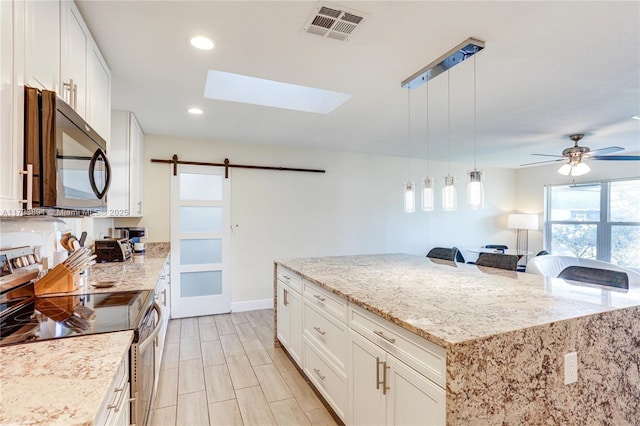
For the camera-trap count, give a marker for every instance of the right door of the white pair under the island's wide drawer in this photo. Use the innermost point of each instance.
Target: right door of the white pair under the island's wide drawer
(412, 399)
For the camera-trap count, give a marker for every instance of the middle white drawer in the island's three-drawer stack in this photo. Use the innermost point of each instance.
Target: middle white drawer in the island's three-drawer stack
(327, 333)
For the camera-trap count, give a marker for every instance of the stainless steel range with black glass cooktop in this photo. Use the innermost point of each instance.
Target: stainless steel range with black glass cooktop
(25, 318)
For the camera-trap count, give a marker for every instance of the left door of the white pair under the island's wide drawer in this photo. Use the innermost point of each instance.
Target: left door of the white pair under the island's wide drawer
(365, 370)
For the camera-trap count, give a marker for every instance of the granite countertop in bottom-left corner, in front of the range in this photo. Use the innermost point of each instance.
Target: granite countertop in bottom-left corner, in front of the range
(63, 381)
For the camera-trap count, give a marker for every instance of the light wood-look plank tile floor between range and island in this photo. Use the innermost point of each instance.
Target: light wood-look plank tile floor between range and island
(225, 370)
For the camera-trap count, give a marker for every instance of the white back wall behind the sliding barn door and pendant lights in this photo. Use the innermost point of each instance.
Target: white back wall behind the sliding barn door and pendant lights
(355, 208)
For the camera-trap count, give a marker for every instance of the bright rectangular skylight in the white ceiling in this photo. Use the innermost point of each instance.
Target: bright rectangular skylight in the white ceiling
(257, 91)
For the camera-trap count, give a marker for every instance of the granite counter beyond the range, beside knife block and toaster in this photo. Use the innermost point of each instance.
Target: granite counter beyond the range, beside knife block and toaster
(139, 272)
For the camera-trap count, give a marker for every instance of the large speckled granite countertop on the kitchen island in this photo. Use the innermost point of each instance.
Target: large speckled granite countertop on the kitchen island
(449, 303)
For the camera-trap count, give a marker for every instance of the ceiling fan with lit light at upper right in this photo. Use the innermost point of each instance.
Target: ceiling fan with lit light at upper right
(575, 155)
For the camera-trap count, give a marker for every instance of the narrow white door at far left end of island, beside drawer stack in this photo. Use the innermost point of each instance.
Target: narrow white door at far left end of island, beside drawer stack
(289, 318)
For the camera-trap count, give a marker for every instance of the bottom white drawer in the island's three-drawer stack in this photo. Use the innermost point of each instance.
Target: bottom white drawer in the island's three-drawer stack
(329, 381)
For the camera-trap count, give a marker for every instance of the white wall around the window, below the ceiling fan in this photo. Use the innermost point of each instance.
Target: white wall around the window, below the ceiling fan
(530, 184)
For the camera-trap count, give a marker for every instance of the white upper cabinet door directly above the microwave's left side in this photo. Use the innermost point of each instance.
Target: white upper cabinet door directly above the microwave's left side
(41, 43)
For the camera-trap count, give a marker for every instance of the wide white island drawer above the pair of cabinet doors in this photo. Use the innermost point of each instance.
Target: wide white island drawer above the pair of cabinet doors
(424, 356)
